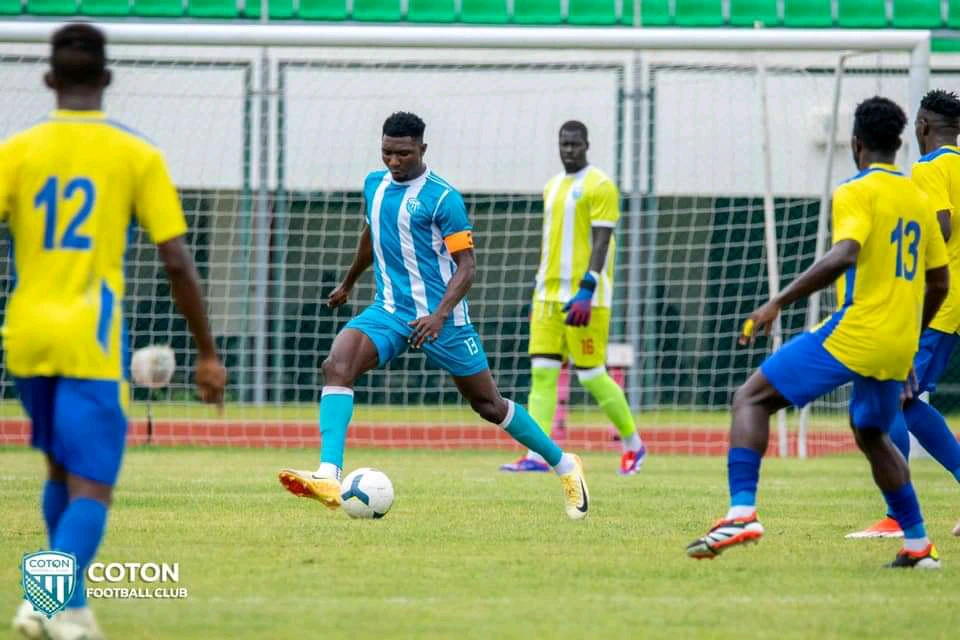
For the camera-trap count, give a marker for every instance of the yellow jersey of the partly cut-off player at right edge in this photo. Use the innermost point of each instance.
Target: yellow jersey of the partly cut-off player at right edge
(938, 175)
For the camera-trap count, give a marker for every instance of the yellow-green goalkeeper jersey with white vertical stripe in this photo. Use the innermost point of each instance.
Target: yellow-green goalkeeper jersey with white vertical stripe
(572, 205)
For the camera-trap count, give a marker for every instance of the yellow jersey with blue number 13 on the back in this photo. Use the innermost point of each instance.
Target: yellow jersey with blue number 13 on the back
(875, 331)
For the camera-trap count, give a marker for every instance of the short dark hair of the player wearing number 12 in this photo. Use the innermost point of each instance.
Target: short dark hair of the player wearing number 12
(78, 54)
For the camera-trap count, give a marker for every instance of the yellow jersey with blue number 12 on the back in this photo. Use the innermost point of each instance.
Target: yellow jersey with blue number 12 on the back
(70, 188)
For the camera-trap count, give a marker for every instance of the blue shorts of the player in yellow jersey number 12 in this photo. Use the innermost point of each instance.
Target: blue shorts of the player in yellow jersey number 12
(81, 424)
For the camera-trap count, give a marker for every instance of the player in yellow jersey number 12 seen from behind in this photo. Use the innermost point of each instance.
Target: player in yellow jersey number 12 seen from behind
(70, 188)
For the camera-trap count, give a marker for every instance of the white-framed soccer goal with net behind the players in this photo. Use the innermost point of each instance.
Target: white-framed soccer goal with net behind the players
(725, 145)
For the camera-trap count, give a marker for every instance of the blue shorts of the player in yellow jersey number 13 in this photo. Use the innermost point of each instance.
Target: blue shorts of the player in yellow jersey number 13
(803, 370)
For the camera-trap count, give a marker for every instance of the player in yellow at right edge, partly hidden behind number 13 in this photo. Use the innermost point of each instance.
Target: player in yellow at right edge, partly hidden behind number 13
(938, 175)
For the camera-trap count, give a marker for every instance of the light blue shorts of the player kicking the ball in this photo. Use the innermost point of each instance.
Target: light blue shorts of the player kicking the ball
(457, 350)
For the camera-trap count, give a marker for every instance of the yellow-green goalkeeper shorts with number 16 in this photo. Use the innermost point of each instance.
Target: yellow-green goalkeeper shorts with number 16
(551, 335)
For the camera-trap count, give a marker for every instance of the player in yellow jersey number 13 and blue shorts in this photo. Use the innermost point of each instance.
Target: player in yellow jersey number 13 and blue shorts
(890, 264)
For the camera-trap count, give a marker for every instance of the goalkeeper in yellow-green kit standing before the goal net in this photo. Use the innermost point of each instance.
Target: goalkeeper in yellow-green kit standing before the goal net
(581, 208)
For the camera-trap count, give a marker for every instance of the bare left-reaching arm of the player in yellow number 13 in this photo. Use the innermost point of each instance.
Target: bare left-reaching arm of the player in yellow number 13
(820, 275)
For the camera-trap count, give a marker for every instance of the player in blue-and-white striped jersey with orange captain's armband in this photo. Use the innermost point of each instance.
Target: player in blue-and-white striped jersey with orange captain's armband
(419, 240)
